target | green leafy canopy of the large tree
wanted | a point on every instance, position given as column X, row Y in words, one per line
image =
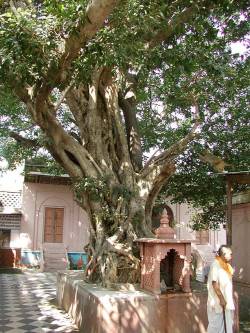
column 194, row 61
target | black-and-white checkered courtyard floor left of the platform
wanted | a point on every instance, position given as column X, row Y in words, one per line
column 27, row 304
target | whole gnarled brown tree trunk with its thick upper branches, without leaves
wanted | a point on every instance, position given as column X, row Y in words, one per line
column 101, row 147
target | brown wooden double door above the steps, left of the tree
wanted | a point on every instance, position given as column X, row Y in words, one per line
column 53, row 226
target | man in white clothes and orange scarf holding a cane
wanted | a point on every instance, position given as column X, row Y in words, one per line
column 220, row 293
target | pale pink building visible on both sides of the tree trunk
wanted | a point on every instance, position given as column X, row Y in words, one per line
column 39, row 214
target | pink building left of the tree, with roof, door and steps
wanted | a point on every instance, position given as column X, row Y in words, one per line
column 39, row 216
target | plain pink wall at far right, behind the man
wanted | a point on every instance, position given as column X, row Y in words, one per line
column 240, row 241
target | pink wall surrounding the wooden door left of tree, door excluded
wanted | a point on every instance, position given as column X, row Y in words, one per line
column 36, row 197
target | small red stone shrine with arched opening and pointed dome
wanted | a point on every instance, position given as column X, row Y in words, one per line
column 165, row 261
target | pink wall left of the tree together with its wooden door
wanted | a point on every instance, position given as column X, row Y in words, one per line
column 50, row 215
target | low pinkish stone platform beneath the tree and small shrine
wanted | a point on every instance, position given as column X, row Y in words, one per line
column 98, row 310
